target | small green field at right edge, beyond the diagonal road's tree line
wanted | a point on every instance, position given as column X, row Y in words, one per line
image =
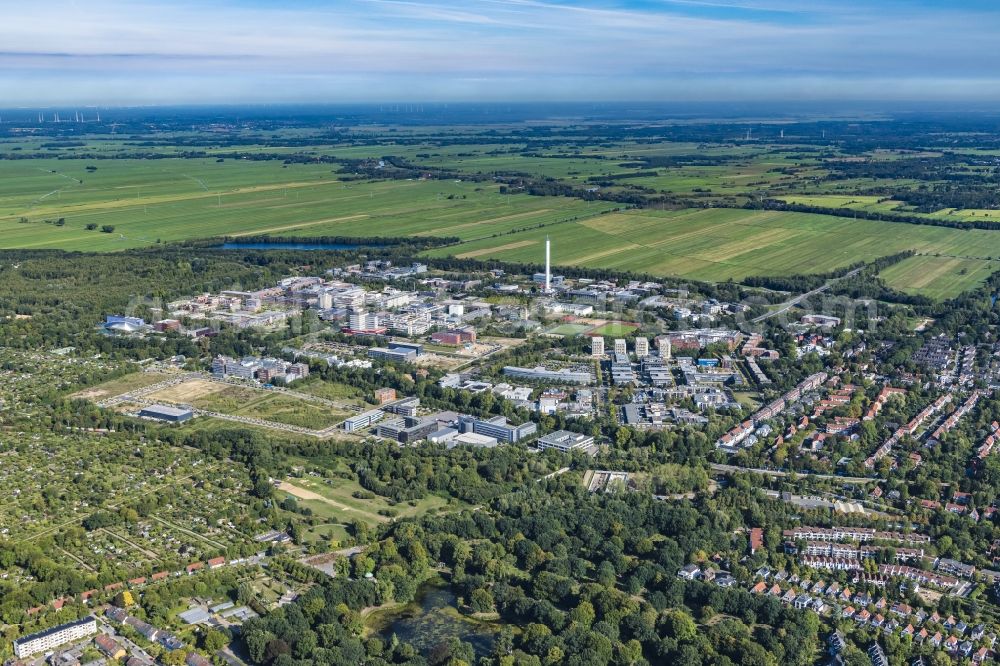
column 939, row 277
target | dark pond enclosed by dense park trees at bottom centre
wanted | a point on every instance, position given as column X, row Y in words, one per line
column 432, row 619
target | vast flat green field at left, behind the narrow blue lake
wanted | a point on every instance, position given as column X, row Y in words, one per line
column 50, row 204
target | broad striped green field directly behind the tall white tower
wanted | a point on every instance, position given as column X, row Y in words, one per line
column 721, row 244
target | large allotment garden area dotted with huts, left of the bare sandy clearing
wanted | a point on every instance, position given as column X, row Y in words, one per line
column 128, row 505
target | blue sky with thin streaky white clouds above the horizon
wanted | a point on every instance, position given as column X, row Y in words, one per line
column 114, row 52
